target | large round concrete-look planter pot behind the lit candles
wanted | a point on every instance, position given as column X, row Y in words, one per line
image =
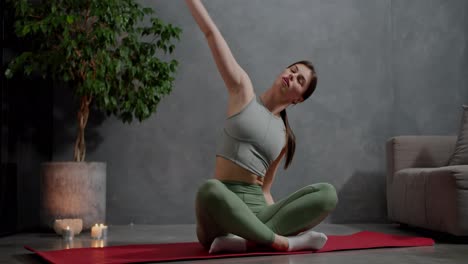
column 73, row 190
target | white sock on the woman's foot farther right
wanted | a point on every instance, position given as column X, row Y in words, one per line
column 307, row 240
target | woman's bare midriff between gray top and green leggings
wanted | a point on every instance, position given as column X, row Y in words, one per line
column 226, row 170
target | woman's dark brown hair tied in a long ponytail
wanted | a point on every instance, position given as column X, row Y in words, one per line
column 291, row 145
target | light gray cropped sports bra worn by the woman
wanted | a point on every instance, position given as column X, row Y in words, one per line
column 252, row 138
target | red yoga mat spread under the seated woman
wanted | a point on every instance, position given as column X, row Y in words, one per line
column 193, row 250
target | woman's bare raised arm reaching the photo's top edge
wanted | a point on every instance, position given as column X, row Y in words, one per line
column 236, row 79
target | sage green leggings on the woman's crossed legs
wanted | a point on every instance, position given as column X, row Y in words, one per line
column 224, row 208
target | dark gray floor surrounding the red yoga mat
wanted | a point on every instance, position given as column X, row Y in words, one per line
column 446, row 250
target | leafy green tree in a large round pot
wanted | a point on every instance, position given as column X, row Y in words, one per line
column 107, row 52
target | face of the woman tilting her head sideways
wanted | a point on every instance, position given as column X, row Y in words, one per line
column 293, row 82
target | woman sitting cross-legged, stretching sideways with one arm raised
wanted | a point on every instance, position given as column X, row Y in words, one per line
column 235, row 210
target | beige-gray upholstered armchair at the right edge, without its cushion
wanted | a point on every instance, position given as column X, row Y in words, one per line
column 422, row 190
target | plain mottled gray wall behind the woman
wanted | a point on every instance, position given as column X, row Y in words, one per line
column 385, row 68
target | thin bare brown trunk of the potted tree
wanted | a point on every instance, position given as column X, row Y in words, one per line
column 83, row 113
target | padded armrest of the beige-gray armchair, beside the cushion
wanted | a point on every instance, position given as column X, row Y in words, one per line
column 418, row 152
